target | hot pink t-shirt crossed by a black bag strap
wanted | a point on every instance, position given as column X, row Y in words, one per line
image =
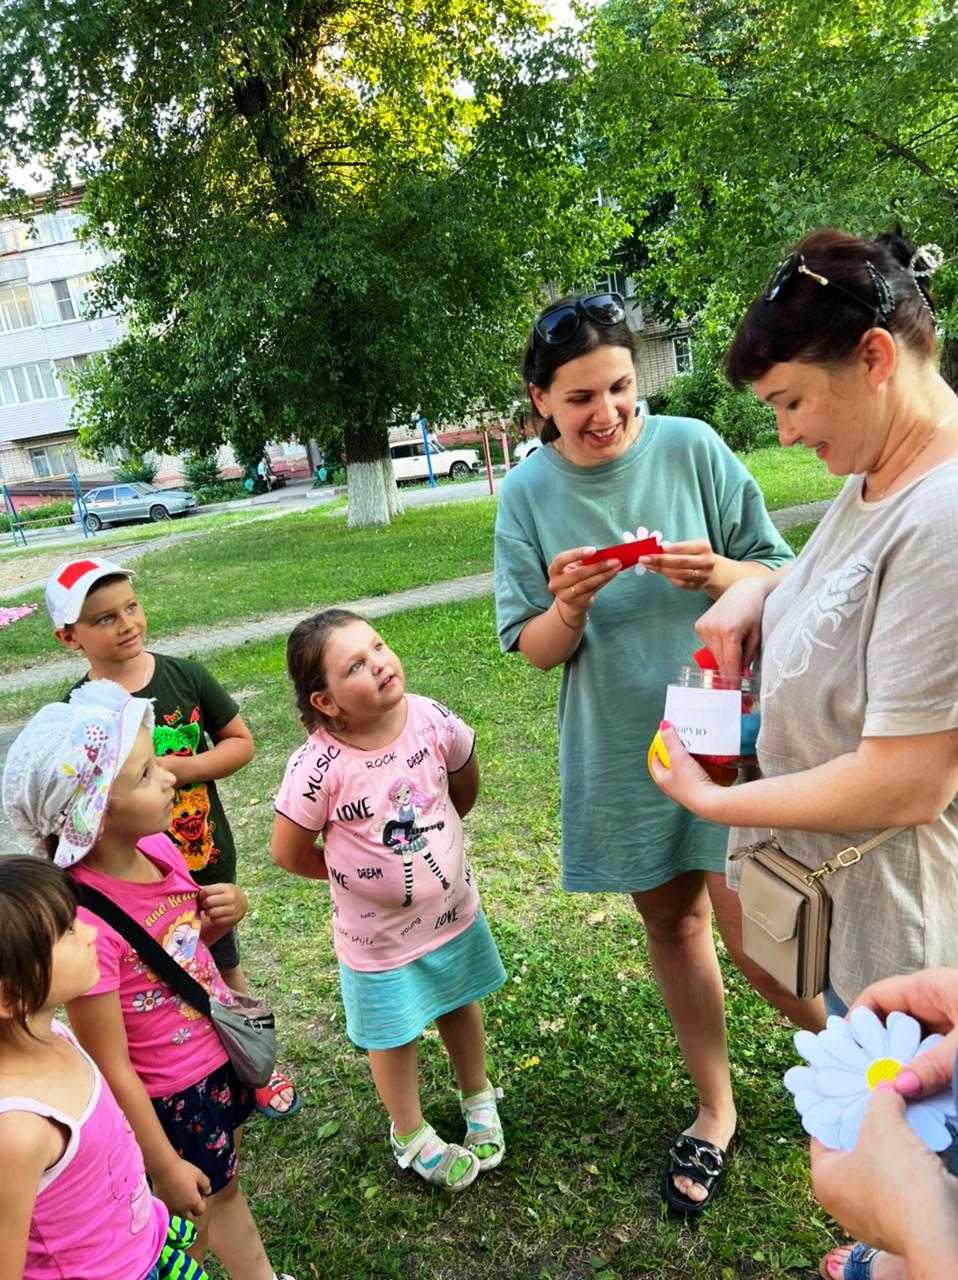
column 172, row 1046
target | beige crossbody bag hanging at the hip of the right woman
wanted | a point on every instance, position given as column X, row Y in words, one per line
column 787, row 912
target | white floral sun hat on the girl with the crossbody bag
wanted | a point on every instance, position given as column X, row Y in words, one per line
column 63, row 764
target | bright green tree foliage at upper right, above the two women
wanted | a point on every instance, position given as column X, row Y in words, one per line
column 729, row 131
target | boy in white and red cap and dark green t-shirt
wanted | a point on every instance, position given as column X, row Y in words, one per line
column 199, row 734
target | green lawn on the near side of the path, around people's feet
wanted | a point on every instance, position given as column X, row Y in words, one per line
column 580, row 1041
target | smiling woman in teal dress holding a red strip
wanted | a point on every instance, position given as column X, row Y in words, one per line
column 622, row 637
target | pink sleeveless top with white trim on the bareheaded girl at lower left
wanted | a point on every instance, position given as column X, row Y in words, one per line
column 94, row 1215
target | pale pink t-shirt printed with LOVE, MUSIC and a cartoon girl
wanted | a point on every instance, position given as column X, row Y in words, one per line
column 393, row 839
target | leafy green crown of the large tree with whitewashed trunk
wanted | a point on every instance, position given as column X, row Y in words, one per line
column 316, row 227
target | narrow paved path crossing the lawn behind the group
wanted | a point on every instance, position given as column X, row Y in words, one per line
column 229, row 636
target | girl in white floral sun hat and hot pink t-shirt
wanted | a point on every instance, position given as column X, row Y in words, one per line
column 84, row 781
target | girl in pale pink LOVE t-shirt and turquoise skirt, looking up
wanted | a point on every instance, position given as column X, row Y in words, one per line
column 385, row 779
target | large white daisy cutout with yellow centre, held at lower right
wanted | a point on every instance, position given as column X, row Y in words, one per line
column 847, row 1062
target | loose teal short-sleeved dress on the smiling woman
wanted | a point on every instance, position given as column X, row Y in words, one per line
column 621, row 835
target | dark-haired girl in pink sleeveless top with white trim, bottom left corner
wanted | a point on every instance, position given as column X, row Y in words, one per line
column 76, row 1204
